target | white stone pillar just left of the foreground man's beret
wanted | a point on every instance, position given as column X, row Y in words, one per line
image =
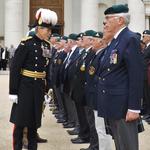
column 89, row 15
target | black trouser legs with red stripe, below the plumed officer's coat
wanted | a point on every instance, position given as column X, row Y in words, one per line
column 18, row 135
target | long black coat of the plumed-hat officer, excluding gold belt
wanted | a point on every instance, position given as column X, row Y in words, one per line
column 29, row 55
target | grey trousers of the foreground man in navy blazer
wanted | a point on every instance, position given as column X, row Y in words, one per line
column 125, row 134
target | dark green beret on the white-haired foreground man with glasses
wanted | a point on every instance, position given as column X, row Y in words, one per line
column 116, row 9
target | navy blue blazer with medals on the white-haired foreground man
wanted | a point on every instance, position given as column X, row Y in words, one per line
column 120, row 83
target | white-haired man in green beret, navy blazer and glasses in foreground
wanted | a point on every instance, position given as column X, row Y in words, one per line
column 120, row 82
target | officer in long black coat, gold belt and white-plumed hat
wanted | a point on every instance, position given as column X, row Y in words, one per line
column 28, row 75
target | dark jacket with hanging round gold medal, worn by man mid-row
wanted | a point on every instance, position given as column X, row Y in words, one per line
column 77, row 81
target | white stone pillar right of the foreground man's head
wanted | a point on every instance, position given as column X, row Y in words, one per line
column 137, row 20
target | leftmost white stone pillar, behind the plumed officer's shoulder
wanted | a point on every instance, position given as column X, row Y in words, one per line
column 13, row 22
